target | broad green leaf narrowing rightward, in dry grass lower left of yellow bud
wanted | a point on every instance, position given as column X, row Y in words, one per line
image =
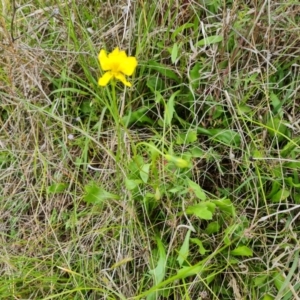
column 95, row 194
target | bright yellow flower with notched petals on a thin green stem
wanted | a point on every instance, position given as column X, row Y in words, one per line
column 116, row 64
